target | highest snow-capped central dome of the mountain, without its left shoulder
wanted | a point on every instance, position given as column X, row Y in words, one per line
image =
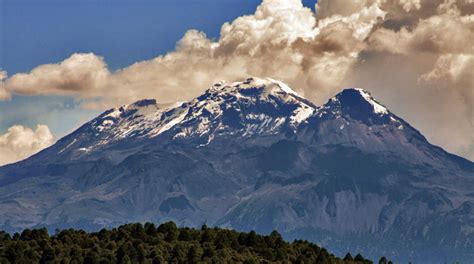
column 254, row 106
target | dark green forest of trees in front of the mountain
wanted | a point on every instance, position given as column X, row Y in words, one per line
column 137, row 243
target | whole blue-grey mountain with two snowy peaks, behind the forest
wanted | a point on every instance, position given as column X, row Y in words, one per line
column 254, row 155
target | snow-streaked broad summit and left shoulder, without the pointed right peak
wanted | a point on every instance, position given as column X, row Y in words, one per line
column 254, row 106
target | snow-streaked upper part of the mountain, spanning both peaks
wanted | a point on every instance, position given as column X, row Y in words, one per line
column 253, row 107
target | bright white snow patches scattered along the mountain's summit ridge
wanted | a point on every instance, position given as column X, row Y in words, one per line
column 146, row 110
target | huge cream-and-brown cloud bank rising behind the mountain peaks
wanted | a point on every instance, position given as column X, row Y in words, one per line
column 416, row 56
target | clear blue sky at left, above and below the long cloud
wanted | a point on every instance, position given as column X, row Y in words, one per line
column 35, row 32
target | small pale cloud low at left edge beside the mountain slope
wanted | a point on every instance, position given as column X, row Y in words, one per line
column 20, row 142
